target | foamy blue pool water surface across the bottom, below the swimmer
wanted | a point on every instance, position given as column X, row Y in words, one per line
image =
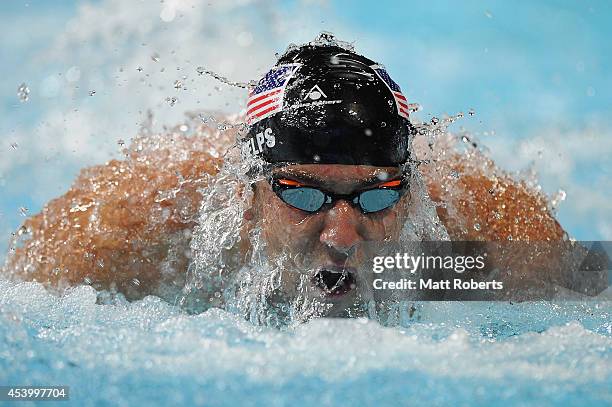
column 151, row 353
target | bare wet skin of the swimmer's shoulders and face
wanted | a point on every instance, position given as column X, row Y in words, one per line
column 126, row 240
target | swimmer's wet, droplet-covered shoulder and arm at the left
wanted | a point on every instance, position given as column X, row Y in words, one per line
column 122, row 226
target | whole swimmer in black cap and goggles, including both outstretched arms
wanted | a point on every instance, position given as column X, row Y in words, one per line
column 336, row 150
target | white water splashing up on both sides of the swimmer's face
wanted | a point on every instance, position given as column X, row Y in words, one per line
column 256, row 287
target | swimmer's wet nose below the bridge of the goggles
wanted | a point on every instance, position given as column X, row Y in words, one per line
column 341, row 228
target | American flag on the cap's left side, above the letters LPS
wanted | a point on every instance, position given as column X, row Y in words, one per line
column 266, row 98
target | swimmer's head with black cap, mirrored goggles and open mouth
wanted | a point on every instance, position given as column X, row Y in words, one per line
column 335, row 141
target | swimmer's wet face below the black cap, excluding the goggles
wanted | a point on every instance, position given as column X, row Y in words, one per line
column 323, row 248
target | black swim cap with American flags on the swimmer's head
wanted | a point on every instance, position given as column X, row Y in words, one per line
column 323, row 104
